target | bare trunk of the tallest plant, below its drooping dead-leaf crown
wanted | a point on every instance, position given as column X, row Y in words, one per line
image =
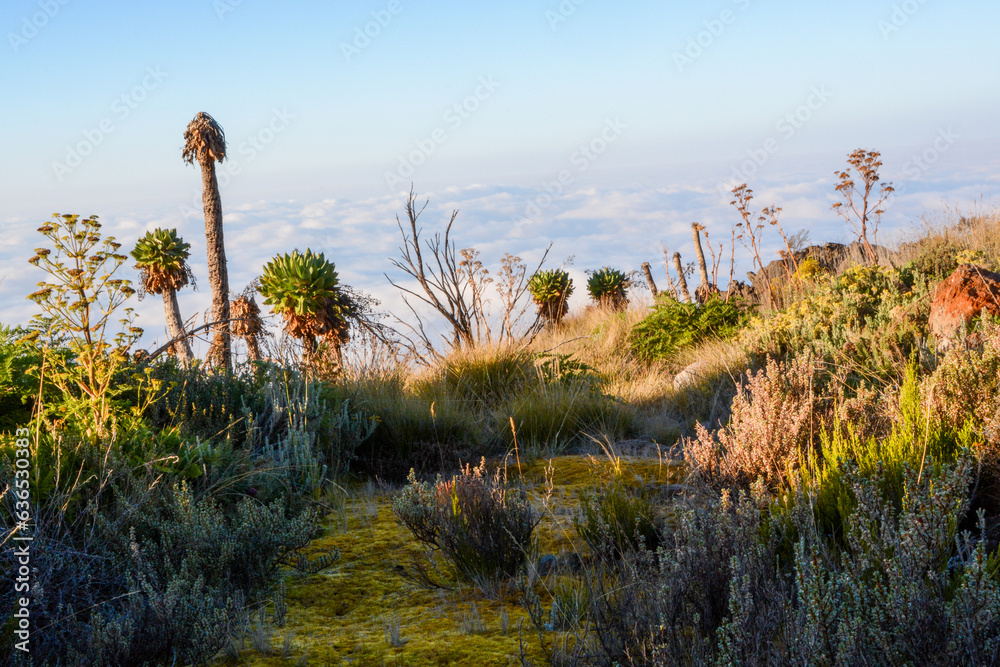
column 219, row 352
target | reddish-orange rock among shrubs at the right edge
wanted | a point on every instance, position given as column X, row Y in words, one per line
column 963, row 295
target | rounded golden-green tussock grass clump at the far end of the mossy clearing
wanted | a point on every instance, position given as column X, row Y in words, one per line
column 464, row 406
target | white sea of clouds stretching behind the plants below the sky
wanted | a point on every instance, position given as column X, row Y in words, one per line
column 620, row 220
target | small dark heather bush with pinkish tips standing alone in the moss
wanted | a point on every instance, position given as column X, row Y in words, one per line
column 476, row 519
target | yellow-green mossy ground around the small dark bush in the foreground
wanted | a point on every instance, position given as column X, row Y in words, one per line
column 337, row 617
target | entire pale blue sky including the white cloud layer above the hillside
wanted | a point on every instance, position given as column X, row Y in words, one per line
column 499, row 97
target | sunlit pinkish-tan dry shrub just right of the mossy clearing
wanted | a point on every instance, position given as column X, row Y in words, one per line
column 767, row 431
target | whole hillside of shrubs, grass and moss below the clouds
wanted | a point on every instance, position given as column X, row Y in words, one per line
column 824, row 490
